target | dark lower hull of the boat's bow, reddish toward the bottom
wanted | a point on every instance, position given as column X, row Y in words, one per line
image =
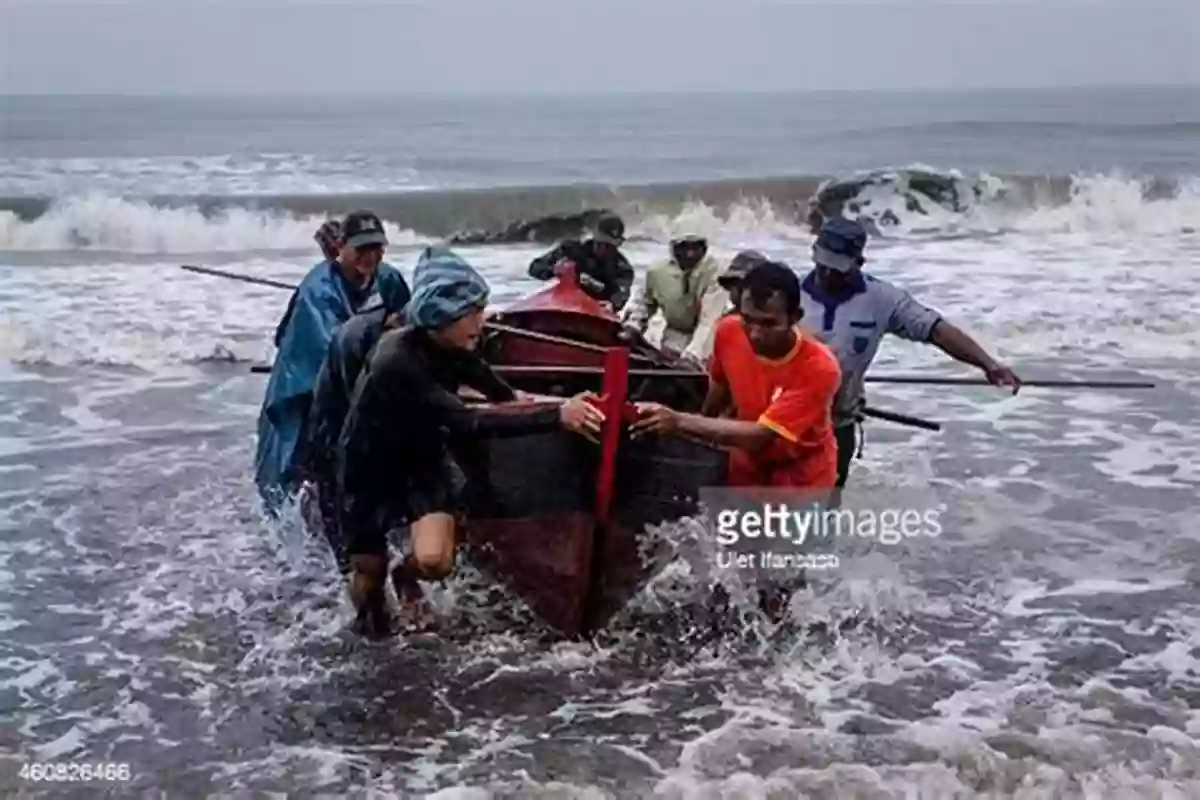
column 533, row 524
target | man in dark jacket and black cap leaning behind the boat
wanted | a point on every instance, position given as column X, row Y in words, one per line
column 604, row 272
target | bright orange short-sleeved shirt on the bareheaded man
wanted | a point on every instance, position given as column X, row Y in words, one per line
column 793, row 396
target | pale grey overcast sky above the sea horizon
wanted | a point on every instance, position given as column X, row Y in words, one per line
column 572, row 46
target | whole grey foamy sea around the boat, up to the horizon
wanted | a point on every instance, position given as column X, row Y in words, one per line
column 1046, row 645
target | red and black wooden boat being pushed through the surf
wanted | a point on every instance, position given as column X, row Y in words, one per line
column 556, row 519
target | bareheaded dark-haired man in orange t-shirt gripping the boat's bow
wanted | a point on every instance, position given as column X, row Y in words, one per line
column 781, row 384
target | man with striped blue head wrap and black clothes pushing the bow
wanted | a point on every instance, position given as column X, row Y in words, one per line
column 397, row 462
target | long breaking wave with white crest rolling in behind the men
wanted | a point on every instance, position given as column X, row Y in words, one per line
column 899, row 201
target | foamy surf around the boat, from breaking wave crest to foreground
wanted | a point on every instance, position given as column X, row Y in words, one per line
column 1043, row 646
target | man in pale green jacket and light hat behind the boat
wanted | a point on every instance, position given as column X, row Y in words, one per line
column 679, row 287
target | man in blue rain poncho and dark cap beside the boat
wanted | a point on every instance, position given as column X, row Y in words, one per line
column 328, row 297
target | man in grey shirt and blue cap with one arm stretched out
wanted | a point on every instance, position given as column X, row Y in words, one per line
column 851, row 312
